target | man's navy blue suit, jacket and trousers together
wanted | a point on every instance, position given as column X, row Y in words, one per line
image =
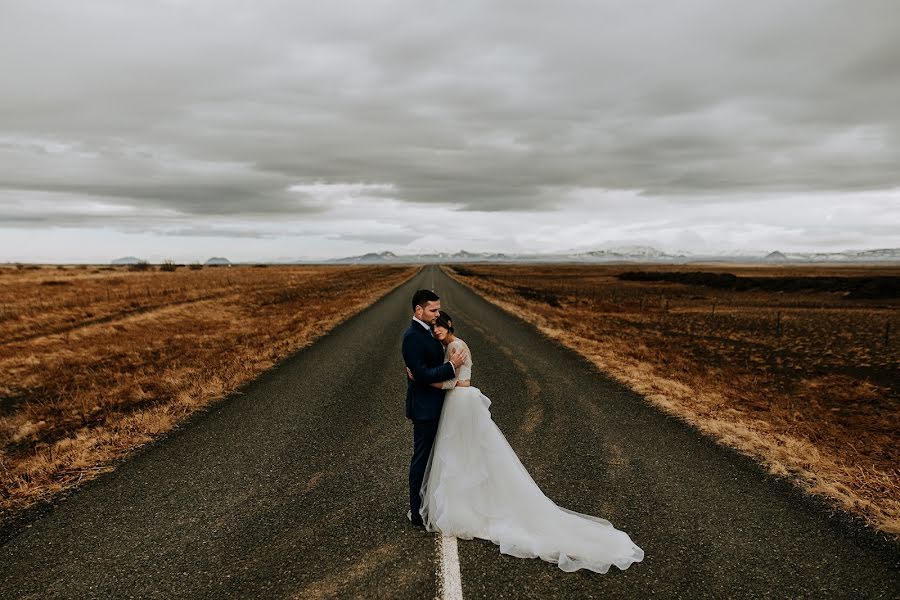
column 424, row 355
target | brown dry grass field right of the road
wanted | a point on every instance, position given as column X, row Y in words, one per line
column 797, row 366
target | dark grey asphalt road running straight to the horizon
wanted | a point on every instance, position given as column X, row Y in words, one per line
column 296, row 487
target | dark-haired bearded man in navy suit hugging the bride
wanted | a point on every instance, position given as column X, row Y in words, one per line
column 424, row 357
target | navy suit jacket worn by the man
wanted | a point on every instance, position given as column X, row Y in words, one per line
column 424, row 356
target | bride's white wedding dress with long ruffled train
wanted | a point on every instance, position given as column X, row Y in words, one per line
column 475, row 486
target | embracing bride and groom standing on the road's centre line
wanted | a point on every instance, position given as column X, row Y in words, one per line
column 464, row 478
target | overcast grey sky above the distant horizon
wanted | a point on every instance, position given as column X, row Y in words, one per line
column 270, row 130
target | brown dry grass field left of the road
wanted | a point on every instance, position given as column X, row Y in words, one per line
column 95, row 361
